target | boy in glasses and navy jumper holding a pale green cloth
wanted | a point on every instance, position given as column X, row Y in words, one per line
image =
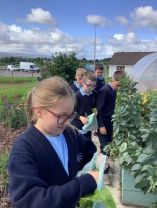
column 85, row 102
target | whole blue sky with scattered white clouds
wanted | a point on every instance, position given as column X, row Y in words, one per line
column 48, row 26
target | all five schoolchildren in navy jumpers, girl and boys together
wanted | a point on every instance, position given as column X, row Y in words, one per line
column 45, row 159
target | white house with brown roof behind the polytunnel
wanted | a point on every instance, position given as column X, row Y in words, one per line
column 125, row 61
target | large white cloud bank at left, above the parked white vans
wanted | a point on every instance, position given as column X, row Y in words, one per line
column 17, row 39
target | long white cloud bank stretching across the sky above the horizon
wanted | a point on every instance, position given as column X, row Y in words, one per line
column 17, row 39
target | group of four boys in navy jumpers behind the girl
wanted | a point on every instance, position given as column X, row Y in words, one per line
column 92, row 92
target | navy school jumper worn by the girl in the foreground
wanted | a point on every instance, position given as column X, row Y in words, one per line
column 37, row 178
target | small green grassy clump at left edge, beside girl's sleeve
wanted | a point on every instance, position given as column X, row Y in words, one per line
column 3, row 169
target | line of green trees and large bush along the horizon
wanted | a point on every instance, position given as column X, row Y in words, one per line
column 62, row 64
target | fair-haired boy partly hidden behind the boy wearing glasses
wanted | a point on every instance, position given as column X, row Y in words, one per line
column 78, row 79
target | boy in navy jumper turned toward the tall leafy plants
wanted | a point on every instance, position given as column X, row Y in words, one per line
column 105, row 104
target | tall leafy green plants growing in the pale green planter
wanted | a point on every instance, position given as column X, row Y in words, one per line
column 135, row 136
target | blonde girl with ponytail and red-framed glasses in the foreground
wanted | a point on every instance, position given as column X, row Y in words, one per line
column 45, row 160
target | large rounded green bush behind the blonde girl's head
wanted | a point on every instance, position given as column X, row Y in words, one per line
column 63, row 65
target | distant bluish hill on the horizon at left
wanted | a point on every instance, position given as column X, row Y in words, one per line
column 7, row 54
